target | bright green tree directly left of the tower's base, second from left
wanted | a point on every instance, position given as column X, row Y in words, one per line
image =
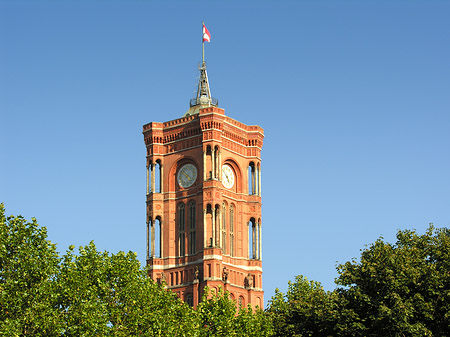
column 103, row 294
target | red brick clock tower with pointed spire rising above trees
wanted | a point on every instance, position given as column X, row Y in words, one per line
column 204, row 202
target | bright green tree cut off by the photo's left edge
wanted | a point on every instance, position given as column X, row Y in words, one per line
column 28, row 265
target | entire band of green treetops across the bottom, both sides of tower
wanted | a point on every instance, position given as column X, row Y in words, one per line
column 400, row 289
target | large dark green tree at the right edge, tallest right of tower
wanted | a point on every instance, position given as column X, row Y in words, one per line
column 401, row 289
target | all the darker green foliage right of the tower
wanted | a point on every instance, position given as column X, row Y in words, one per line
column 400, row 289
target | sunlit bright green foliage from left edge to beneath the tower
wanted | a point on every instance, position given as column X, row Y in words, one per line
column 94, row 293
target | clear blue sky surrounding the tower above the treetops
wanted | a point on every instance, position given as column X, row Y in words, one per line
column 354, row 98
